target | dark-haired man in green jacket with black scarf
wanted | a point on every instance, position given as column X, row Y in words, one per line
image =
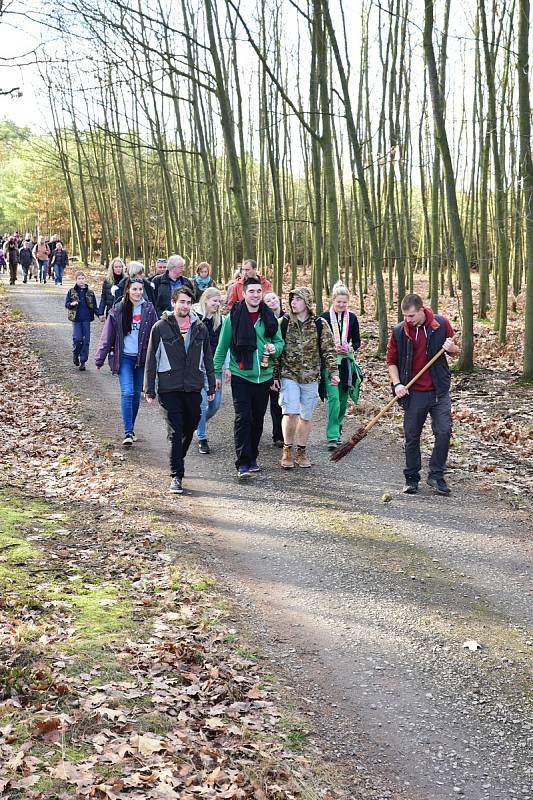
column 252, row 335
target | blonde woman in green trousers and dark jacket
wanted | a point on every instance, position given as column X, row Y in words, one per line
column 345, row 328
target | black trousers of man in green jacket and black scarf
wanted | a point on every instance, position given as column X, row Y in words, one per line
column 250, row 402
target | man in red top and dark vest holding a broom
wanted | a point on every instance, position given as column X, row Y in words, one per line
column 412, row 344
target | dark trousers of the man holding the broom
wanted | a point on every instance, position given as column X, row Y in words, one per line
column 440, row 409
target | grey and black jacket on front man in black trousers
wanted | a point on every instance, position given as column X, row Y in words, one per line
column 177, row 363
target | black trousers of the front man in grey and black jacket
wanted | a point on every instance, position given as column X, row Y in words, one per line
column 182, row 410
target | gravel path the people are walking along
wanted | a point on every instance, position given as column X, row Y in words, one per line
column 364, row 606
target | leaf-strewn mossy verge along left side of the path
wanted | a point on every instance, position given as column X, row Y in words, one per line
column 120, row 678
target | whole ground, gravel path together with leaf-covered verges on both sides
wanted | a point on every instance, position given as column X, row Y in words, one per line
column 297, row 637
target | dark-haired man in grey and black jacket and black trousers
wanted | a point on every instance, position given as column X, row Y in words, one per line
column 178, row 360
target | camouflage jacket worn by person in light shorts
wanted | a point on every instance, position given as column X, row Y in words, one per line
column 300, row 359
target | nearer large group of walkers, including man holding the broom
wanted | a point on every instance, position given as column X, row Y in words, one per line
column 165, row 335
